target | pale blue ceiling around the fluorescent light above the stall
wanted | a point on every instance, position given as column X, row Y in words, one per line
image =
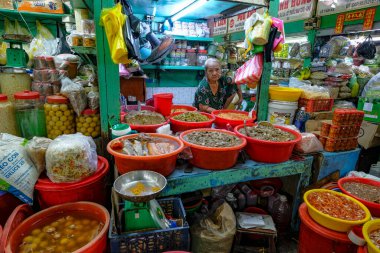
column 167, row 8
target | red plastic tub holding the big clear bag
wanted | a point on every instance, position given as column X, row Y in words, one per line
column 92, row 188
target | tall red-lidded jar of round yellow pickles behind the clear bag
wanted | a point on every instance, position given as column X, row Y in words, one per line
column 59, row 116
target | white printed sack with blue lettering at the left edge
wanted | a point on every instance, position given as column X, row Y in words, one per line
column 18, row 174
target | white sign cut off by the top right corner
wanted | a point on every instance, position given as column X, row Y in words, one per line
column 324, row 7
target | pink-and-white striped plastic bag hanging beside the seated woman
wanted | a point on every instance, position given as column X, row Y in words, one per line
column 251, row 71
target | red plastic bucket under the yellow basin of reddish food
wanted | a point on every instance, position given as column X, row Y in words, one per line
column 317, row 239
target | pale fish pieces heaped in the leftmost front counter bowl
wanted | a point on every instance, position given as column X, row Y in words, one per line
column 144, row 145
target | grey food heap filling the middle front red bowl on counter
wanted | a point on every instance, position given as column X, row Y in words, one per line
column 212, row 139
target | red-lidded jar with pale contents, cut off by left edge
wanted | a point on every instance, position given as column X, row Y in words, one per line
column 7, row 116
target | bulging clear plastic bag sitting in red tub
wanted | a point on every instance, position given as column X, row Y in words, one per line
column 71, row 158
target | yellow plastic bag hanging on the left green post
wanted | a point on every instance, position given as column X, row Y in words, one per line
column 113, row 20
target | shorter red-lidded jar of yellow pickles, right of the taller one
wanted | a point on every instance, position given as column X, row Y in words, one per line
column 88, row 123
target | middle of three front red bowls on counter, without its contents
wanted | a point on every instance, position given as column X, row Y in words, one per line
column 211, row 158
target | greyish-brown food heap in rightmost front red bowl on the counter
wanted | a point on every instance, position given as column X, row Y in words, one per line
column 267, row 133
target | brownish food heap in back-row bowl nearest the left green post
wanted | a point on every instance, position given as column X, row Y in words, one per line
column 144, row 118
